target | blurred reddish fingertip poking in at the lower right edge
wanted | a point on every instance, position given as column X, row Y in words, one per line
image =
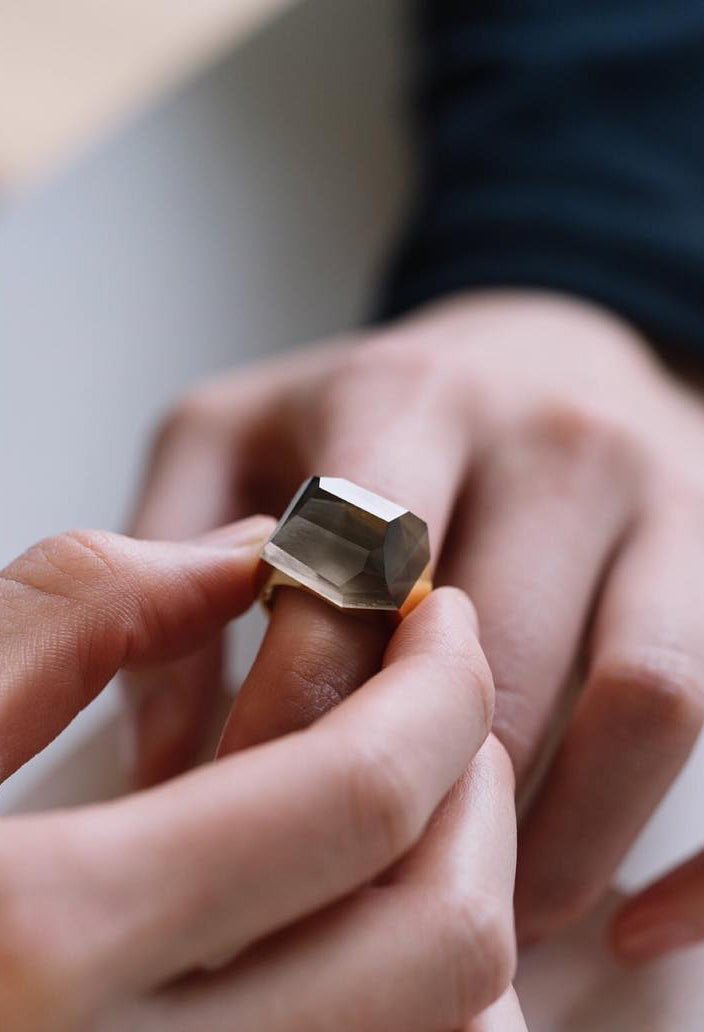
column 667, row 916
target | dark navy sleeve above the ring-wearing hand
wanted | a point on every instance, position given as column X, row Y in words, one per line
column 562, row 146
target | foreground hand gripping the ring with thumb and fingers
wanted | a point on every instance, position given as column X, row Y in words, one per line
column 265, row 891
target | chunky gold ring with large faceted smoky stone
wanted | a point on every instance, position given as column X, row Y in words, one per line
column 353, row 549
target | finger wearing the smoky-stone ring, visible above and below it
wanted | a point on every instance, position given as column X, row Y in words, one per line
column 312, row 656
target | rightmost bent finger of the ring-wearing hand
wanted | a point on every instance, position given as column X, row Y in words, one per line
column 633, row 729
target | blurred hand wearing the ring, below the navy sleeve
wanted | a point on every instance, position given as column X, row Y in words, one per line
column 559, row 467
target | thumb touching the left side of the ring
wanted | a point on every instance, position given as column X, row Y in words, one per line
column 85, row 604
